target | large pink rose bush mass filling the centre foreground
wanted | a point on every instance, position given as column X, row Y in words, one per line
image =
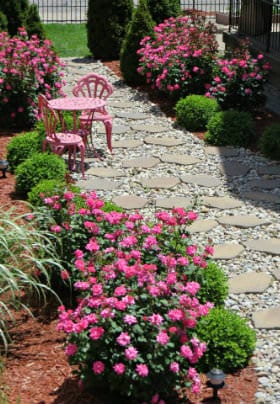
column 133, row 328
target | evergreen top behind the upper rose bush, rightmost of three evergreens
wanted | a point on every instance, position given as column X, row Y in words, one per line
column 162, row 9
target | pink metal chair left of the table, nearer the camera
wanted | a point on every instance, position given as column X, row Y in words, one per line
column 59, row 141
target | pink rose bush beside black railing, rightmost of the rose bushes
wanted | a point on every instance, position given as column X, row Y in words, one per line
column 238, row 81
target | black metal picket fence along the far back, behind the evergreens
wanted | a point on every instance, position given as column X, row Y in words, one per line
column 75, row 11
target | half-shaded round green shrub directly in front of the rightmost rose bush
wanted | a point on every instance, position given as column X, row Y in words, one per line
column 231, row 127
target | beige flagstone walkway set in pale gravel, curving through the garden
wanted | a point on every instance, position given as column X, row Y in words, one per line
column 236, row 193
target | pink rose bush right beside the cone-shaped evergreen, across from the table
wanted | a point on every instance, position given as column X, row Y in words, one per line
column 179, row 60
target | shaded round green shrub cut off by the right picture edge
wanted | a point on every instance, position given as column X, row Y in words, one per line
column 269, row 142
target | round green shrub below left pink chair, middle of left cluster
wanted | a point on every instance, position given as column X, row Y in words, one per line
column 38, row 167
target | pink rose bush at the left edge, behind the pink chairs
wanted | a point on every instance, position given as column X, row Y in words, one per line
column 28, row 67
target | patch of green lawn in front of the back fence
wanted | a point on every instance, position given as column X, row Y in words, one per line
column 68, row 39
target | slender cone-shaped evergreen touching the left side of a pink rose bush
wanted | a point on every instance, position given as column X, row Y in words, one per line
column 140, row 26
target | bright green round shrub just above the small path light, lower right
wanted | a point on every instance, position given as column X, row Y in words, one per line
column 230, row 341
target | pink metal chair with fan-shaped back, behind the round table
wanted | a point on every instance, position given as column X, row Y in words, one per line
column 96, row 86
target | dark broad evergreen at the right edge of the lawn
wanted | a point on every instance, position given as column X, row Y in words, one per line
column 106, row 26
